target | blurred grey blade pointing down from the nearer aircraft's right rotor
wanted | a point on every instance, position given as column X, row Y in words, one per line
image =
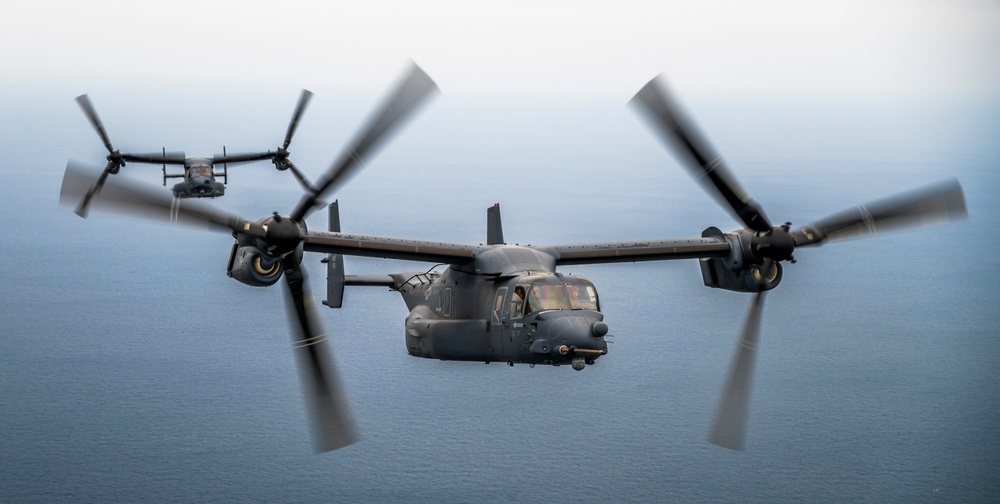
column 729, row 425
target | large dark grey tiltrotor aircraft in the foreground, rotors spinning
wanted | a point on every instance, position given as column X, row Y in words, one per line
column 508, row 303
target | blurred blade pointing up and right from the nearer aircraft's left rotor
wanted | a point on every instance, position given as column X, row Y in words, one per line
column 408, row 95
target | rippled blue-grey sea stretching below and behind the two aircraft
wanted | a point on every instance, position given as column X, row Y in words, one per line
column 134, row 370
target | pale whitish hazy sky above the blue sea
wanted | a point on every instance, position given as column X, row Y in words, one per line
column 850, row 48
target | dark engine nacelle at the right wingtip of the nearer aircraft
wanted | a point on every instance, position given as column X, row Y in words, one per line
column 739, row 272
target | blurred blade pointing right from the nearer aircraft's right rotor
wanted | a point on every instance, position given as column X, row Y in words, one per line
column 937, row 203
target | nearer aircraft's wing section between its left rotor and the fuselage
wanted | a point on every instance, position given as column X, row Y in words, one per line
column 390, row 248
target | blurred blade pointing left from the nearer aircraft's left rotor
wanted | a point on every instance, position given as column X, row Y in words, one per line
column 125, row 197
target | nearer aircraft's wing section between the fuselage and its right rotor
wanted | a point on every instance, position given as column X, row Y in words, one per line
column 651, row 250
